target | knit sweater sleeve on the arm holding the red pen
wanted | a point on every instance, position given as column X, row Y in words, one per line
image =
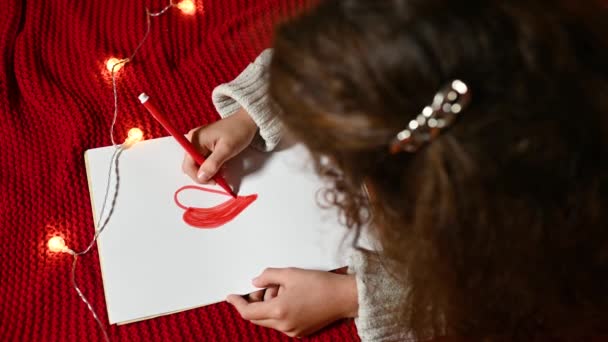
column 250, row 91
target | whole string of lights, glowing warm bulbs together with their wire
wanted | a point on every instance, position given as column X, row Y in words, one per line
column 56, row 244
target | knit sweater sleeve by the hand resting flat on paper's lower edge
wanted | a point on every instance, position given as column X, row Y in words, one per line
column 379, row 297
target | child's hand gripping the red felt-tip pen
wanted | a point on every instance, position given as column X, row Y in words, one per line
column 219, row 142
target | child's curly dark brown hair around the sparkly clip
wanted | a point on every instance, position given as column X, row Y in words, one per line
column 499, row 227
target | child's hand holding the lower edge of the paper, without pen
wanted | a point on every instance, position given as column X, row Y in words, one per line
column 301, row 301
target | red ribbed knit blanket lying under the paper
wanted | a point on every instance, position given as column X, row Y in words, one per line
column 56, row 102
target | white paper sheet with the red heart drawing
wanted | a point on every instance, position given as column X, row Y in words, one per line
column 154, row 264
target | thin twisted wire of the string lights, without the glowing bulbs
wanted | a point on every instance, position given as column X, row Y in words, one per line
column 114, row 164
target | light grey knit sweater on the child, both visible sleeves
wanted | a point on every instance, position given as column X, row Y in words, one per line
column 377, row 290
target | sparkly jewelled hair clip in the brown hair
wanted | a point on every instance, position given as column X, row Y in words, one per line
column 447, row 103
